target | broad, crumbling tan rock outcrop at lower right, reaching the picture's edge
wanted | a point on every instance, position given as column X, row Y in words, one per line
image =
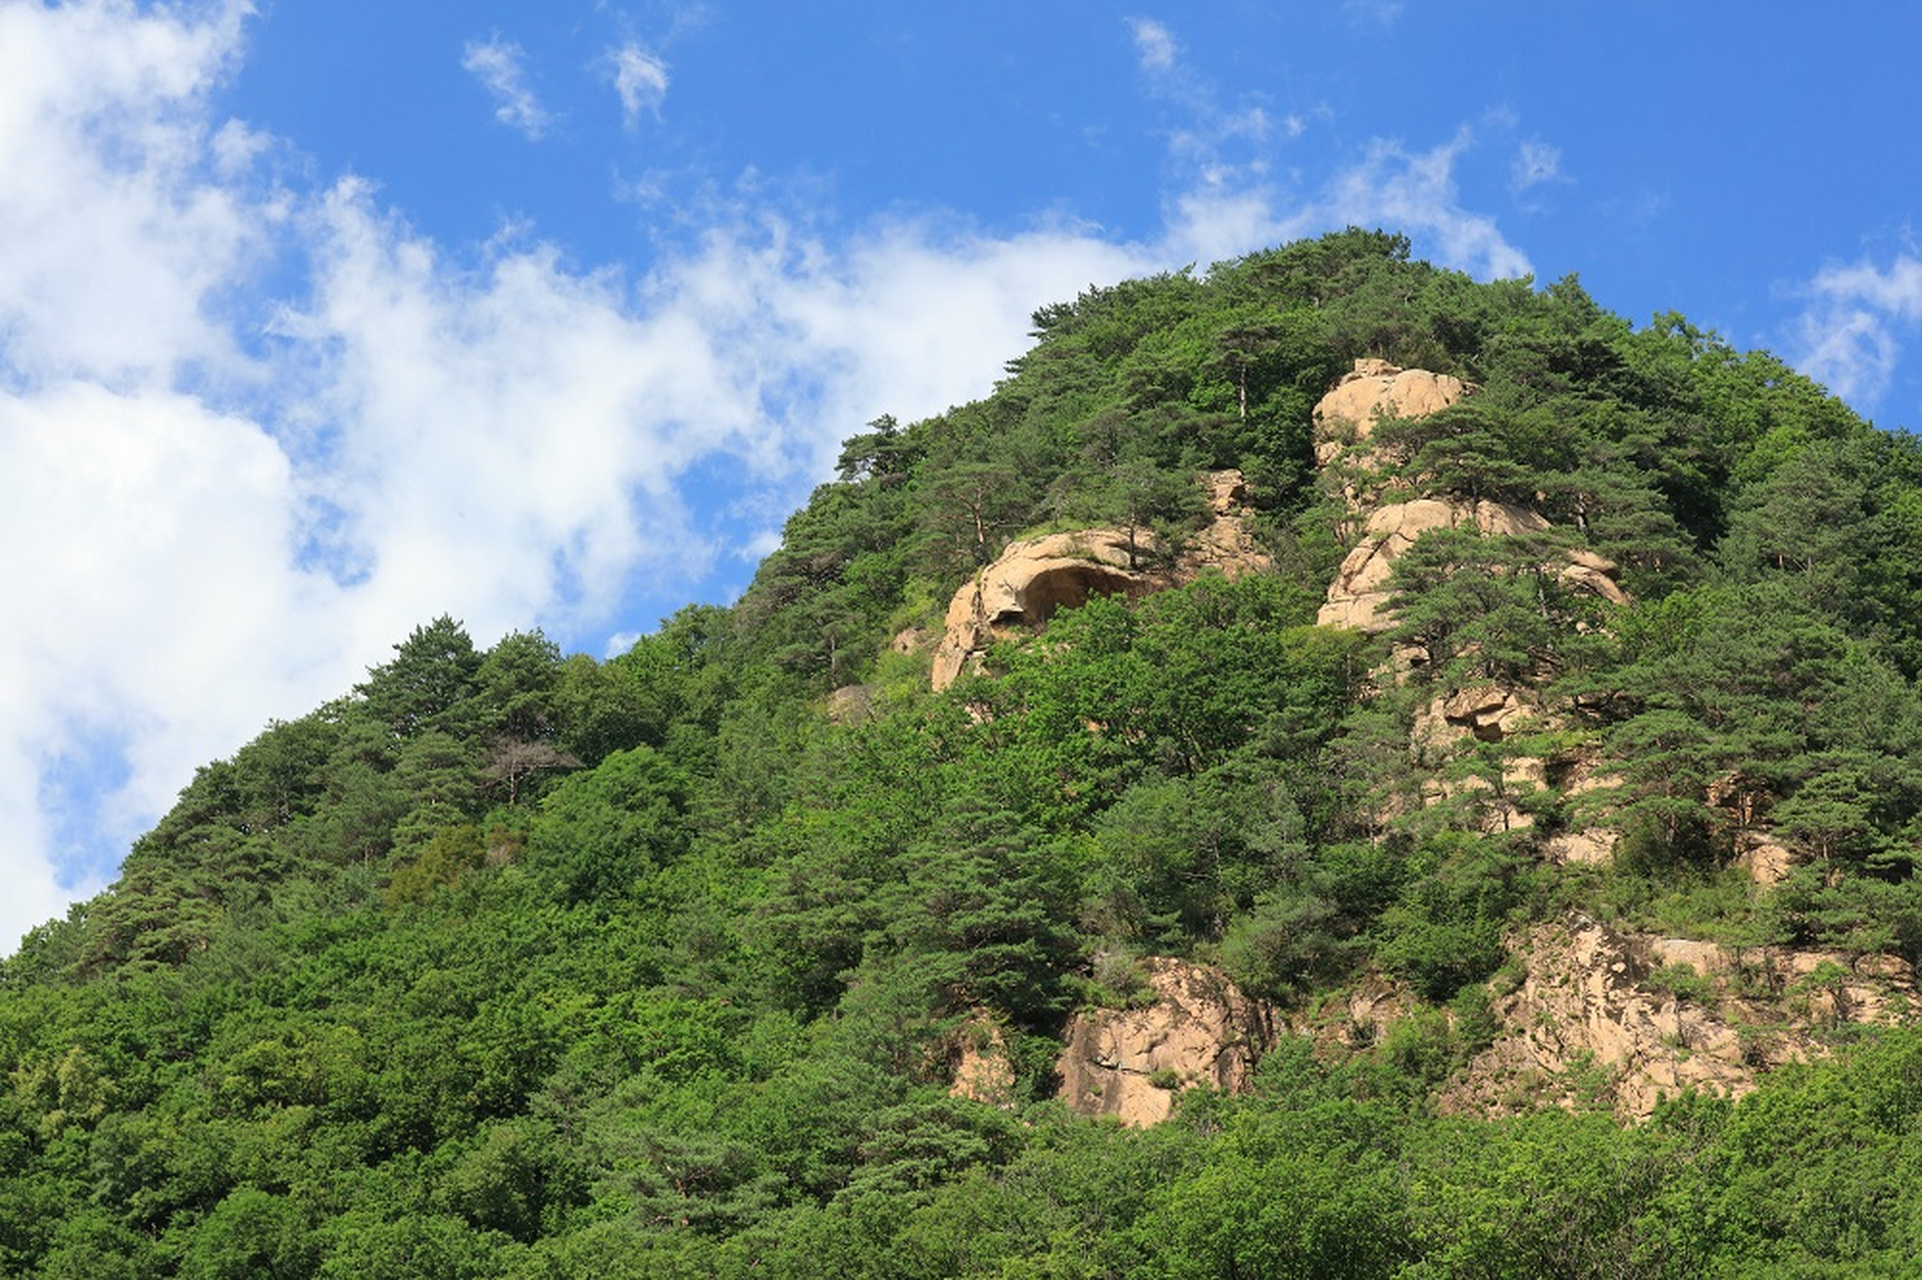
column 1589, row 1023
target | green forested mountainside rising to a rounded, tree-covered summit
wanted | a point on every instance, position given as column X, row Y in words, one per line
column 520, row 964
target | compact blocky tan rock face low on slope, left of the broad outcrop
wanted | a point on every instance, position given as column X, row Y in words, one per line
column 1131, row 1062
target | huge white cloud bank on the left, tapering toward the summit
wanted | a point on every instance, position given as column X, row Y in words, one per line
column 228, row 528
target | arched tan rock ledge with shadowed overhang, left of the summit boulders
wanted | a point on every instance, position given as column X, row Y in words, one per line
column 1035, row 578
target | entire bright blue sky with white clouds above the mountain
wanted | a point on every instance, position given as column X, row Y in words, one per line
column 320, row 320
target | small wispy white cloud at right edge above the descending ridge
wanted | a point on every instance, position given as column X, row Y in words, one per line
column 1850, row 335
